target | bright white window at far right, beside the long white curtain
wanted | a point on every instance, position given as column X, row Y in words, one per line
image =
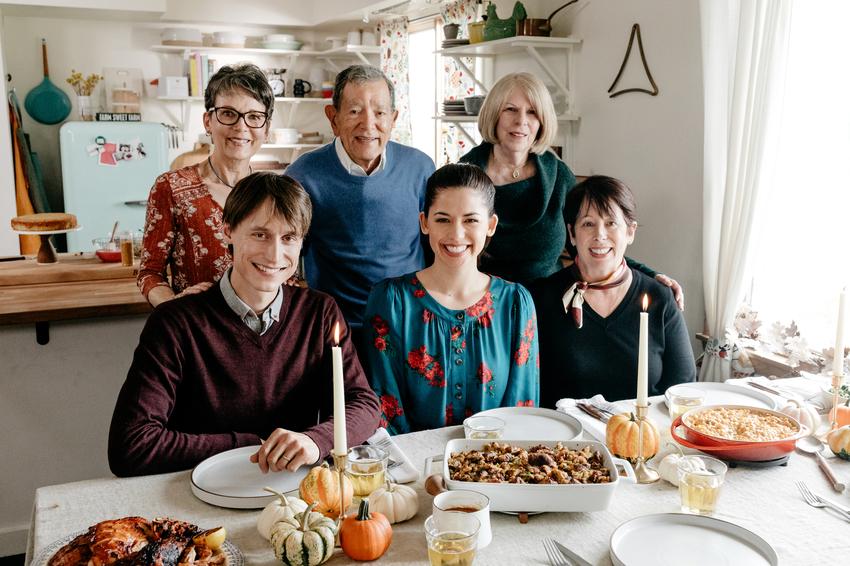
column 804, row 254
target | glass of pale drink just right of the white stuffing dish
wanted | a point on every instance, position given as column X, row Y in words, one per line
column 700, row 481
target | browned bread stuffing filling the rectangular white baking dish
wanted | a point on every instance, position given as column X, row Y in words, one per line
column 502, row 463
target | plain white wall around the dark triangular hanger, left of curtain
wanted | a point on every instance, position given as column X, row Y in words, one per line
column 652, row 143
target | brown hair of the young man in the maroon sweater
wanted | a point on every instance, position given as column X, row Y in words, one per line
column 289, row 200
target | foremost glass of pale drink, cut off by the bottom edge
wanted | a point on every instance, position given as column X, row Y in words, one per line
column 452, row 538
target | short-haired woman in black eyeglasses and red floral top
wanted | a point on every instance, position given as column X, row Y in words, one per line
column 184, row 214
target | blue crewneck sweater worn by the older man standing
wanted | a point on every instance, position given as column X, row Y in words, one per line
column 364, row 229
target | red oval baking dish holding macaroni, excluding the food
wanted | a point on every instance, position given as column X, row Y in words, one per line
column 726, row 449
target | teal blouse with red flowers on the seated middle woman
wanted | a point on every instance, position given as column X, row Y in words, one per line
column 432, row 367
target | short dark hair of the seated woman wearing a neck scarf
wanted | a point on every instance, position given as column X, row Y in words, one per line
column 602, row 192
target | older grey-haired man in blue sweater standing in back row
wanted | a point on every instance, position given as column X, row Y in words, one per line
column 367, row 193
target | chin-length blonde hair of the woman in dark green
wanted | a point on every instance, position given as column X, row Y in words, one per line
column 536, row 92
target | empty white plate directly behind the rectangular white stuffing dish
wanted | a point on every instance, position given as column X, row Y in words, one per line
column 524, row 423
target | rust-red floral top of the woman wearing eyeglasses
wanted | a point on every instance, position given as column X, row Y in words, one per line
column 182, row 228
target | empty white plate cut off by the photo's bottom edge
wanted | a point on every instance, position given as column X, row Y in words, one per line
column 674, row 539
